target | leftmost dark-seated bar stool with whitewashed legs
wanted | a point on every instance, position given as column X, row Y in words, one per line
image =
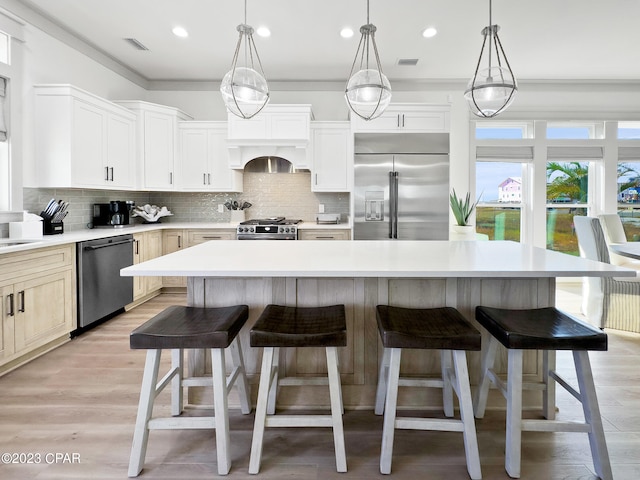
column 176, row 328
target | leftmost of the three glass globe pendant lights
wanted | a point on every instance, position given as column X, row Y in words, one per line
column 244, row 88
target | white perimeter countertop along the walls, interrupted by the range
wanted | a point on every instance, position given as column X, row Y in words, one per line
column 103, row 232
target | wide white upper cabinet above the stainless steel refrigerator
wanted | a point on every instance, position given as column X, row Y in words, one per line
column 406, row 117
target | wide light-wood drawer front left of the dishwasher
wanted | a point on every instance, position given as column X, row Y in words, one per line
column 21, row 264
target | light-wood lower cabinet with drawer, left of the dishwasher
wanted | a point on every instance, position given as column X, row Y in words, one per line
column 38, row 291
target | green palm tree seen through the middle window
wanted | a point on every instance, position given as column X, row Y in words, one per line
column 570, row 180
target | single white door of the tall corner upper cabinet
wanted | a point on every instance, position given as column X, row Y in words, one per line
column 159, row 153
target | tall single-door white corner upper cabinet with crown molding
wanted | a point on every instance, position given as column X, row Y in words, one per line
column 157, row 140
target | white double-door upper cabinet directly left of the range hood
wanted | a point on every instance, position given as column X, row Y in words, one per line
column 204, row 158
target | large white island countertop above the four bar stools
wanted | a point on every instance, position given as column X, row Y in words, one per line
column 362, row 258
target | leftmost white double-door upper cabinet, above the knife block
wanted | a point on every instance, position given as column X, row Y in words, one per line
column 82, row 141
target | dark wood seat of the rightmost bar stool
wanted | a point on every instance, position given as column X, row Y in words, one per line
column 540, row 329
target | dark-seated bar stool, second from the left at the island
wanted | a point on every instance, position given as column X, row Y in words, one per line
column 281, row 326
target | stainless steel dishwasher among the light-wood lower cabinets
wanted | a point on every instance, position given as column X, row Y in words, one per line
column 101, row 290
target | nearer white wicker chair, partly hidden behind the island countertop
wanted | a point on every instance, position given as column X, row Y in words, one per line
column 607, row 302
